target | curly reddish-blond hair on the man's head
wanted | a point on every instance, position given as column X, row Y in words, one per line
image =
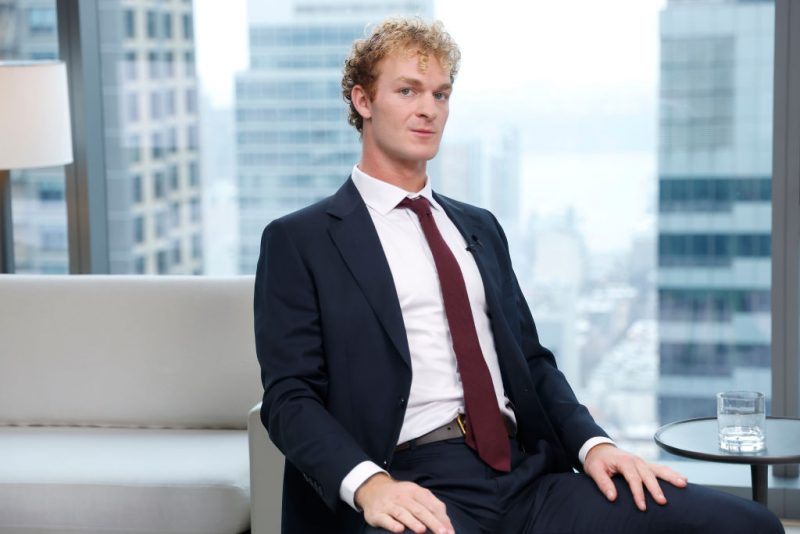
column 394, row 34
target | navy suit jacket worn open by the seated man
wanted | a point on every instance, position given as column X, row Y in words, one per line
column 335, row 362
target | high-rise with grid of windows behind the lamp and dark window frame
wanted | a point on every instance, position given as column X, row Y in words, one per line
column 151, row 150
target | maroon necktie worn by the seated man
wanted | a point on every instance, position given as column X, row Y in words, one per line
column 486, row 431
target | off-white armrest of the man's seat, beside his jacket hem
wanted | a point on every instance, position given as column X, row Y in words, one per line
column 266, row 477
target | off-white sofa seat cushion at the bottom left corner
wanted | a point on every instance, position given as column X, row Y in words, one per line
column 95, row 480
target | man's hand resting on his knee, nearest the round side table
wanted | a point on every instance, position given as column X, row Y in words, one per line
column 605, row 460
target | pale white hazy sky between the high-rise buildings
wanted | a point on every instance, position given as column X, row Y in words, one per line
column 578, row 78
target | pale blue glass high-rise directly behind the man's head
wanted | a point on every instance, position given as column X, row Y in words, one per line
column 294, row 145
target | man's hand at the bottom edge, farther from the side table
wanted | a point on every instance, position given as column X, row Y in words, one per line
column 395, row 506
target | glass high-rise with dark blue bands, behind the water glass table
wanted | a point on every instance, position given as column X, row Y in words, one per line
column 714, row 219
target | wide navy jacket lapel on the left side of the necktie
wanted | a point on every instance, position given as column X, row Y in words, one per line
column 354, row 234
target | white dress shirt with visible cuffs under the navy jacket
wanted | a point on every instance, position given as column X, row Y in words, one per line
column 436, row 395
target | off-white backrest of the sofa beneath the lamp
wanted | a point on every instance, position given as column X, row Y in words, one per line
column 156, row 351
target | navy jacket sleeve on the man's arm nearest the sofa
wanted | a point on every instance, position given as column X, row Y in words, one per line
column 289, row 345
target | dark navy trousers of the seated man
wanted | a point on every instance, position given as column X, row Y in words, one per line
column 480, row 500
